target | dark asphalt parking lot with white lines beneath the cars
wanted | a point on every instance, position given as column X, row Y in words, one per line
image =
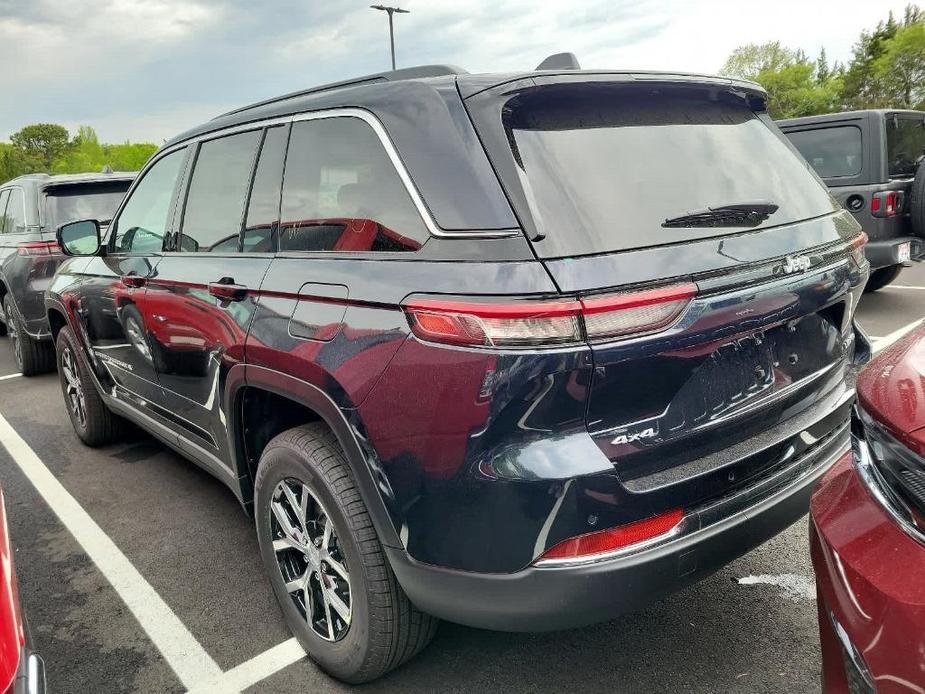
column 177, row 548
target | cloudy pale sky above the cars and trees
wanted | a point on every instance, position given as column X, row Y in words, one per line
column 145, row 70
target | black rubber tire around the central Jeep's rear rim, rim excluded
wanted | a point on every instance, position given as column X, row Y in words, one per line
column 385, row 629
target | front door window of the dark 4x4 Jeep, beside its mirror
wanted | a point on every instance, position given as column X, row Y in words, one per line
column 142, row 224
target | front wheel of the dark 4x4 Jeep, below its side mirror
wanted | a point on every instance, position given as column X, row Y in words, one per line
column 99, row 425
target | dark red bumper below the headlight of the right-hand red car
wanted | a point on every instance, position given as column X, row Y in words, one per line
column 869, row 581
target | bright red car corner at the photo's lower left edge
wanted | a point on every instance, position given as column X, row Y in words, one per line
column 22, row 671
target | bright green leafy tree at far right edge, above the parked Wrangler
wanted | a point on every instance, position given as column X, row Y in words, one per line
column 900, row 67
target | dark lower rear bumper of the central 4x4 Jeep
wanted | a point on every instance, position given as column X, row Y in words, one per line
column 547, row 598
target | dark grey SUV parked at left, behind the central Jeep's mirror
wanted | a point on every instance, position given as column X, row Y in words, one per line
column 31, row 208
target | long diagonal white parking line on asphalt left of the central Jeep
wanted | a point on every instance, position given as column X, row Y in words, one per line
column 180, row 649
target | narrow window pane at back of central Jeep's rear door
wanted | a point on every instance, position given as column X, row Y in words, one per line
column 263, row 206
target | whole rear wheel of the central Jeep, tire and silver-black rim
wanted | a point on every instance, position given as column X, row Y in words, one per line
column 325, row 563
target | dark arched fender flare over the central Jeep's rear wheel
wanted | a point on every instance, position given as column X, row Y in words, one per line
column 245, row 376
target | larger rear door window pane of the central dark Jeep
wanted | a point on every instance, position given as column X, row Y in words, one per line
column 217, row 192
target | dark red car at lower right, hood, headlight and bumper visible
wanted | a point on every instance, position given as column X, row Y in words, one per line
column 867, row 534
